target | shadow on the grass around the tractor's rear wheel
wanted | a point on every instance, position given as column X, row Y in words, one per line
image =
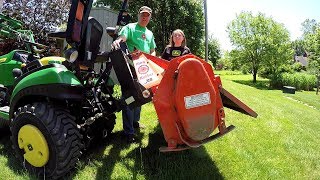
column 95, row 152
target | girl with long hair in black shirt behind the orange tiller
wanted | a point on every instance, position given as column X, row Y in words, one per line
column 177, row 46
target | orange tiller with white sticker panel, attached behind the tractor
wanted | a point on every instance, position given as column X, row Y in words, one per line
column 189, row 99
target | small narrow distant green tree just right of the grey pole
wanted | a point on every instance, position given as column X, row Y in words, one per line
column 214, row 52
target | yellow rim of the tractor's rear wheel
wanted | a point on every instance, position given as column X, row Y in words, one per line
column 34, row 144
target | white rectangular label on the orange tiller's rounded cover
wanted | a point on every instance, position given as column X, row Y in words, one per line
column 197, row 100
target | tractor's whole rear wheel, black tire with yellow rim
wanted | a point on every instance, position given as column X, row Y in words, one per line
column 49, row 132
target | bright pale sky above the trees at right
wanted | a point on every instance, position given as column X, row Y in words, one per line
column 289, row 12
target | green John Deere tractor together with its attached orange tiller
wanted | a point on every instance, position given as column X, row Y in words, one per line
column 57, row 107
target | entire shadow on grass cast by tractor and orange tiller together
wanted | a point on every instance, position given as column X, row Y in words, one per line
column 147, row 161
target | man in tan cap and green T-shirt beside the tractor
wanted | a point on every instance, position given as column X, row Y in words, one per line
column 137, row 36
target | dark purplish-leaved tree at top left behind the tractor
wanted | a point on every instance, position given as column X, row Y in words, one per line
column 40, row 16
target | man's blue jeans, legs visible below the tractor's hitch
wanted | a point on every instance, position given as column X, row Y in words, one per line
column 130, row 116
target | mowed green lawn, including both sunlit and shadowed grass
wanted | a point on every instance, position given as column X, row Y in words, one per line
column 282, row 143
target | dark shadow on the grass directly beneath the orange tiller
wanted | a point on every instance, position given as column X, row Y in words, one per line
column 189, row 164
